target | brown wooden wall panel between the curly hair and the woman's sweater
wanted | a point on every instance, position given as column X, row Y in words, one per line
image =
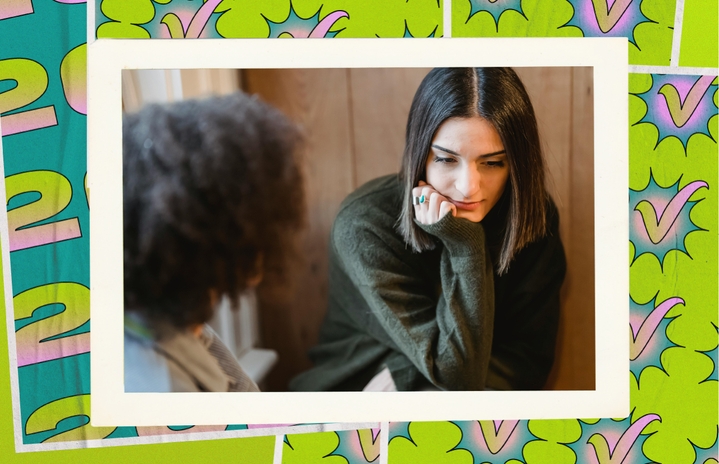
column 291, row 311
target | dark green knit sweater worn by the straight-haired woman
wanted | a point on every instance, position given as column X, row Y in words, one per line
column 430, row 317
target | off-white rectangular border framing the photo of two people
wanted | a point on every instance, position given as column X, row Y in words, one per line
column 111, row 406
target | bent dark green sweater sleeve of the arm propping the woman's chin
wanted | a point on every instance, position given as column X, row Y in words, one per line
column 448, row 338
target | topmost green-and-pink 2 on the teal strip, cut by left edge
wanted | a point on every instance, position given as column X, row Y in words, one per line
column 30, row 84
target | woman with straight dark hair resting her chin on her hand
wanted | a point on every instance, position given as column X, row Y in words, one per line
column 447, row 275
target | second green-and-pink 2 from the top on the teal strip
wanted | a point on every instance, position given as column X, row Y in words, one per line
column 55, row 194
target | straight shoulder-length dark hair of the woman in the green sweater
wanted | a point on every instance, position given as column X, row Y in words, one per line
column 497, row 95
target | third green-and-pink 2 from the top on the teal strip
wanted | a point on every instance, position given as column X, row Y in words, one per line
column 42, row 340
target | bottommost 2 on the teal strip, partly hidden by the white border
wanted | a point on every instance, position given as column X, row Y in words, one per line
column 48, row 416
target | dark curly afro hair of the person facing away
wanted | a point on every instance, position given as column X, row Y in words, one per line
column 212, row 189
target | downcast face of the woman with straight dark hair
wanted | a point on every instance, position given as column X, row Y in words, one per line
column 468, row 165
